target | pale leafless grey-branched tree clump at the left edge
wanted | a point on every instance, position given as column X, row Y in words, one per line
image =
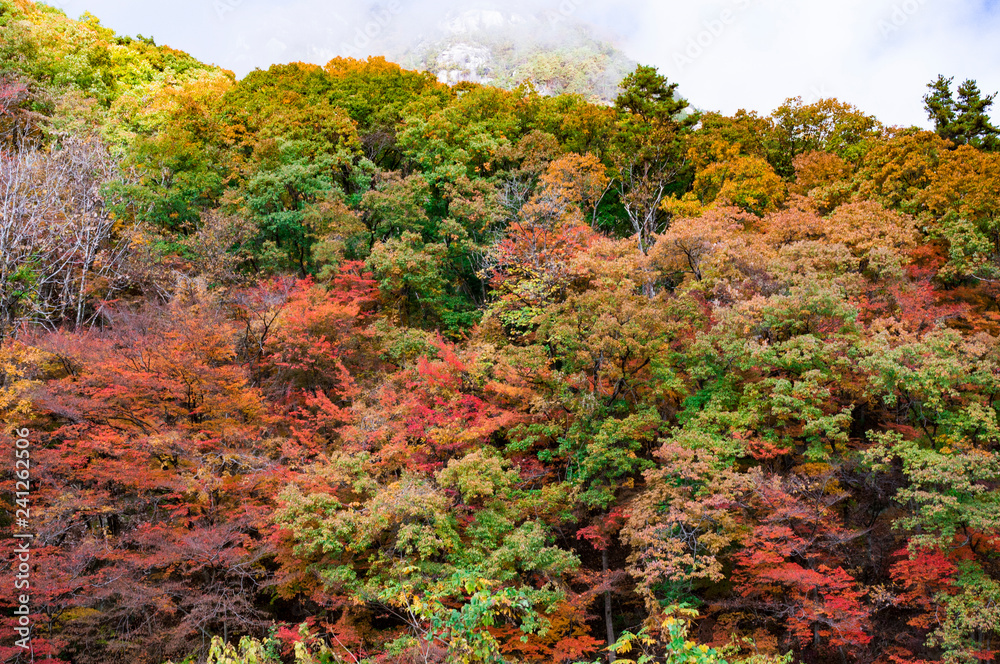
column 57, row 244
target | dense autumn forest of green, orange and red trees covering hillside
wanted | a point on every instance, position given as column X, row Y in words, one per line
column 340, row 364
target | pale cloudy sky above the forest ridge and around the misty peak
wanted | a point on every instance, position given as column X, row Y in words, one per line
column 726, row 55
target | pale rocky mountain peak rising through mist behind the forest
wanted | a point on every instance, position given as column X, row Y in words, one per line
column 507, row 47
